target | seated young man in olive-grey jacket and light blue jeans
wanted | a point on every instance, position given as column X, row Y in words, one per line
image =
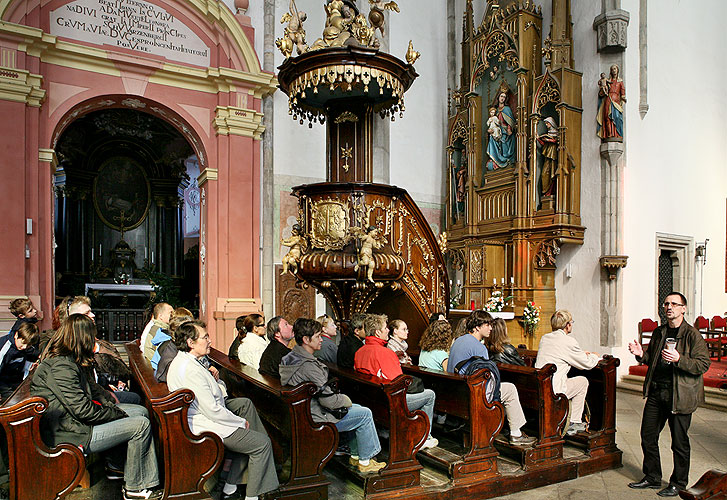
column 300, row 365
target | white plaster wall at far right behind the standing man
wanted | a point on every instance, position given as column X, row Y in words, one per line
column 675, row 175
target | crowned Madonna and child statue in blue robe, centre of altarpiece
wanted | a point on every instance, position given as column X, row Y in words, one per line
column 501, row 134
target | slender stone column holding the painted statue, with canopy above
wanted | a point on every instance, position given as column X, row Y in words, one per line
column 611, row 28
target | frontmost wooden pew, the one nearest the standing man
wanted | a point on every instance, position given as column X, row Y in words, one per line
column 599, row 442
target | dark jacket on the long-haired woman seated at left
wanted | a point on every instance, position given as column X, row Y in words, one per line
column 75, row 402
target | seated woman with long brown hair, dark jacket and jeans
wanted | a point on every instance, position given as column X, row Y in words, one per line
column 82, row 413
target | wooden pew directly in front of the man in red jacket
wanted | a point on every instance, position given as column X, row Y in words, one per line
column 464, row 397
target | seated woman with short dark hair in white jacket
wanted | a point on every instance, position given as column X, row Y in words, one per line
column 235, row 421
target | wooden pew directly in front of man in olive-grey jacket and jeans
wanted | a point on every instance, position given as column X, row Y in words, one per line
column 407, row 430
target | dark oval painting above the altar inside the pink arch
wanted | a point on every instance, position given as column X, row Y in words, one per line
column 121, row 193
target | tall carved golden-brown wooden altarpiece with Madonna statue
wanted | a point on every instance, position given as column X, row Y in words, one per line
column 514, row 158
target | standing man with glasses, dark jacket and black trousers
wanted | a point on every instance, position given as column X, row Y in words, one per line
column 673, row 389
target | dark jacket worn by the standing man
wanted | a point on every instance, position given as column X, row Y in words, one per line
column 688, row 385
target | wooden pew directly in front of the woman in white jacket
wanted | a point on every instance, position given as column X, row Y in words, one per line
column 285, row 410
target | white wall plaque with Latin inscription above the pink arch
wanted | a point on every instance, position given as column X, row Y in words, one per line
column 131, row 24
